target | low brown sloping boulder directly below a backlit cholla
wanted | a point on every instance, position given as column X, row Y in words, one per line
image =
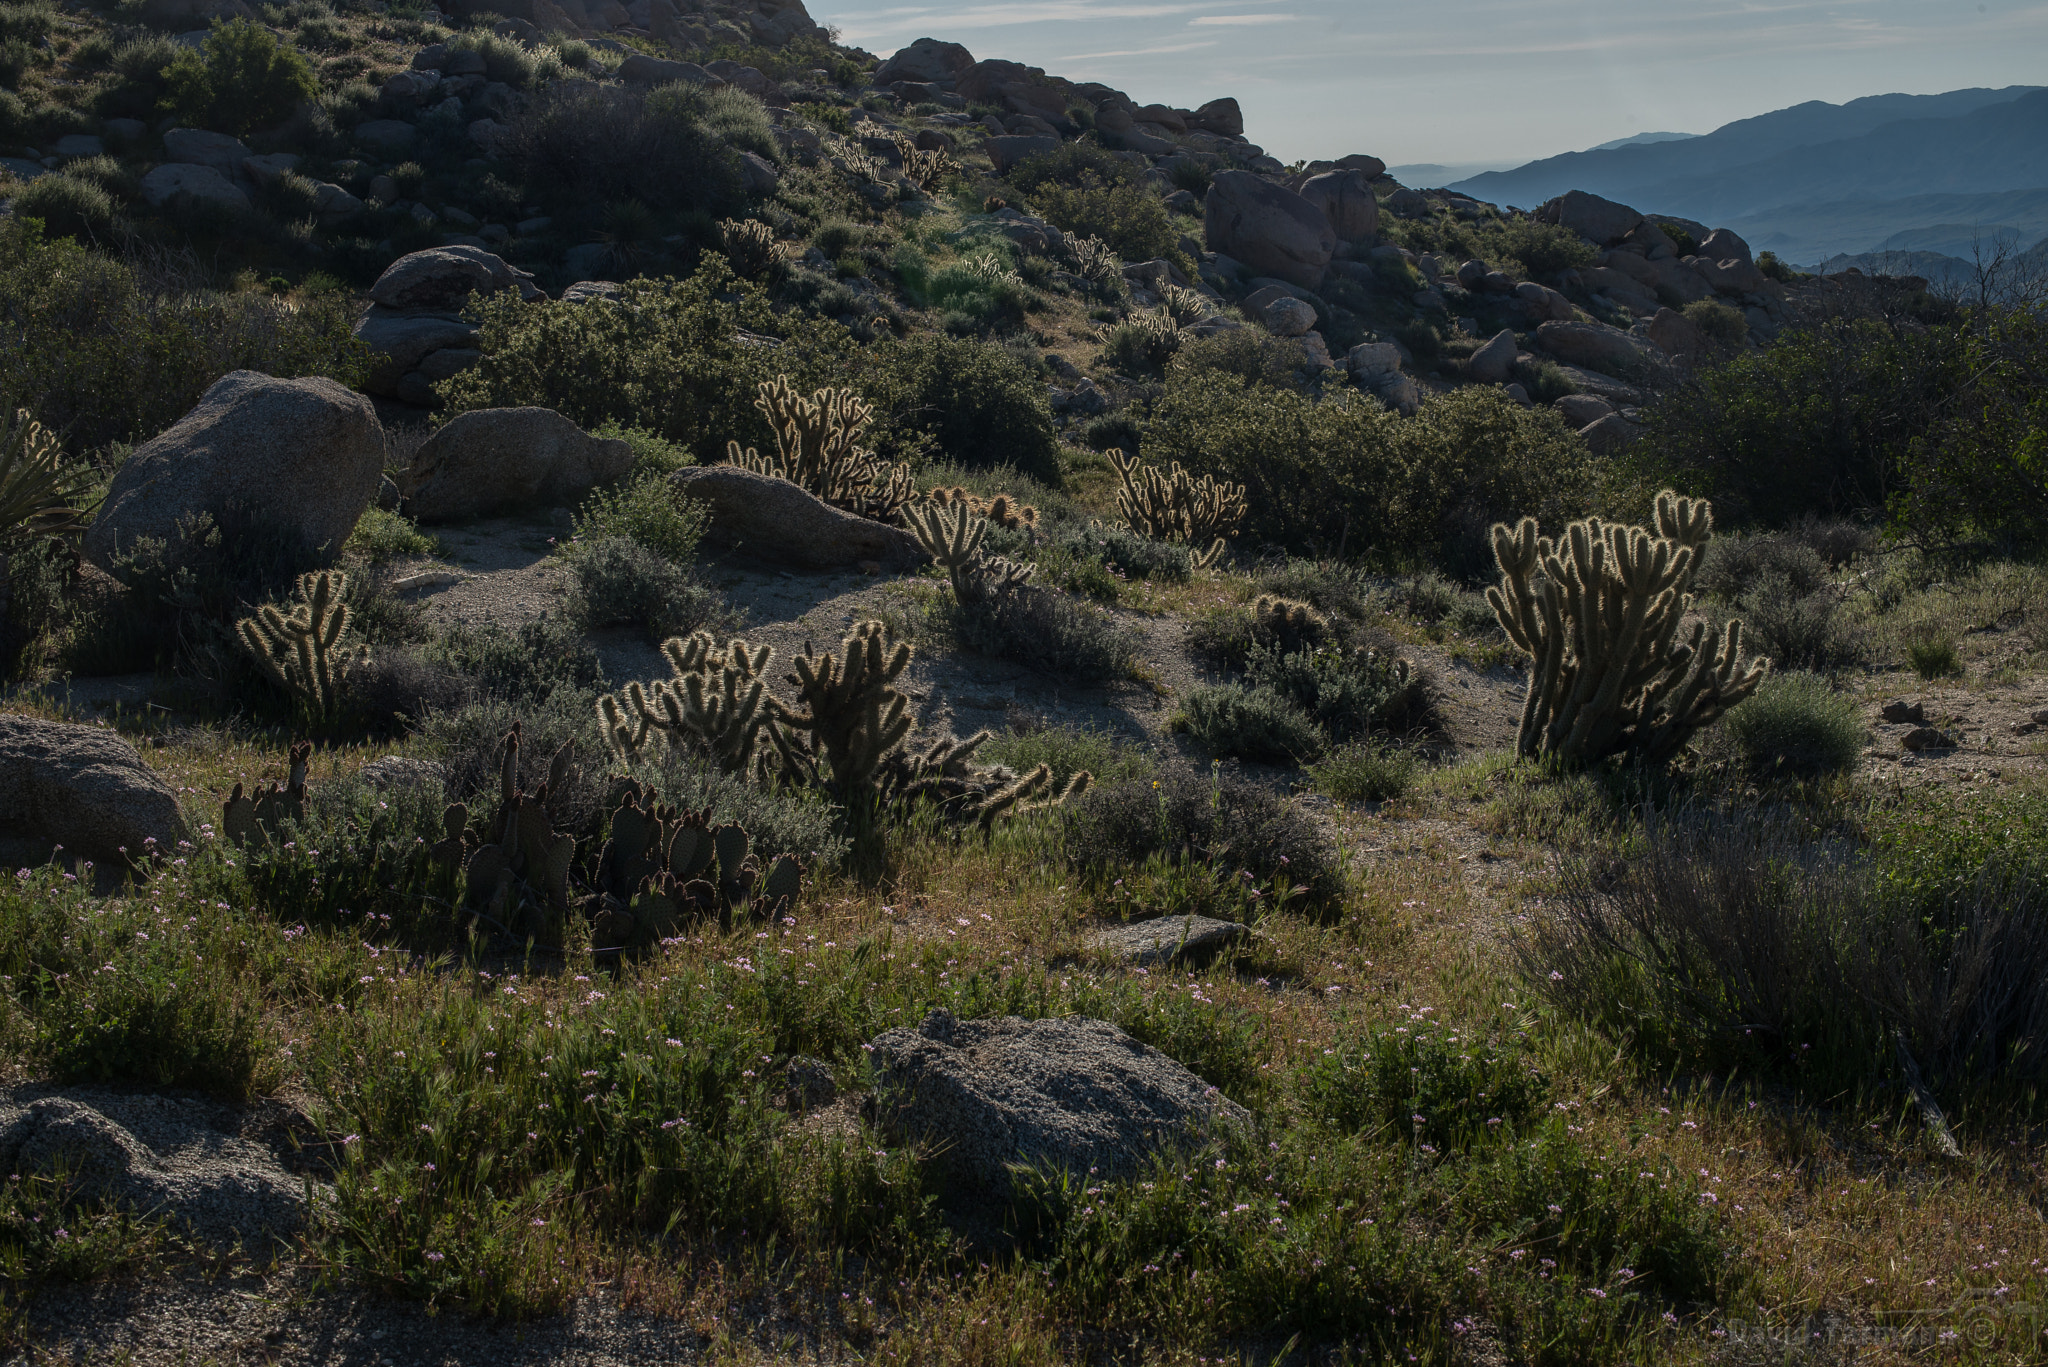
column 787, row 524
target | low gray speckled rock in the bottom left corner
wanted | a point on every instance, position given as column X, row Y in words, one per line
column 155, row 1157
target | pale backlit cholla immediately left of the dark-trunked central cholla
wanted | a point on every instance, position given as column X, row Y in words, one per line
column 716, row 698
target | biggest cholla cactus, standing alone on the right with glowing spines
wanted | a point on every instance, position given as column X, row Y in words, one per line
column 1598, row 618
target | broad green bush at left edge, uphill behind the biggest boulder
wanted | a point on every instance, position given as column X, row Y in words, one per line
column 112, row 351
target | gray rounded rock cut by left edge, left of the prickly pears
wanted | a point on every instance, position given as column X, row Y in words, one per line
column 83, row 788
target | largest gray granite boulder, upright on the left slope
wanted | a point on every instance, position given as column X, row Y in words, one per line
column 292, row 456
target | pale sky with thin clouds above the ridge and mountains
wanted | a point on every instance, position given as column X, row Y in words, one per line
column 1482, row 81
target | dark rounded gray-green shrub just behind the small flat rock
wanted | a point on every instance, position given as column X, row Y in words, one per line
column 1193, row 815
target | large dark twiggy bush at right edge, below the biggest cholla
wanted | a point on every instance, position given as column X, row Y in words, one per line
column 1734, row 940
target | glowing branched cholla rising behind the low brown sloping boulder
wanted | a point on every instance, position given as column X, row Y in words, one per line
column 818, row 448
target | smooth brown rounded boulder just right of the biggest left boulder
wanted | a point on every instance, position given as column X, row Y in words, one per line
column 499, row 460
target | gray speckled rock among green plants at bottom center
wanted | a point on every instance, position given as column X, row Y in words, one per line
column 1076, row 1095
